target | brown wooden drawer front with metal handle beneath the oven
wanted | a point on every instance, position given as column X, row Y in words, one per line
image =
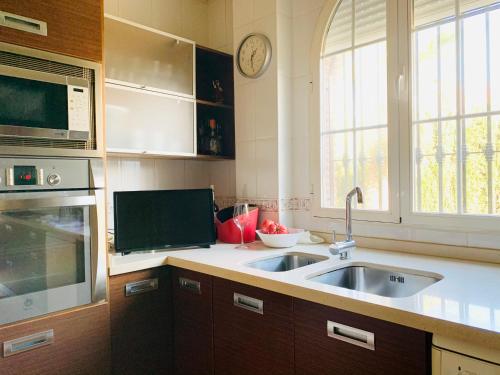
column 73, row 342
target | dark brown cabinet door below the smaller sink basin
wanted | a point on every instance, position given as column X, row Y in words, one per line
column 253, row 330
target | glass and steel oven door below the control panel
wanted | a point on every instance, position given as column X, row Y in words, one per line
column 45, row 255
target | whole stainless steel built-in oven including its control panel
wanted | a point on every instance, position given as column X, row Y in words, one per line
column 52, row 236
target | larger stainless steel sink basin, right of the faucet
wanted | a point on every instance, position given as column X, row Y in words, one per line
column 377, row 280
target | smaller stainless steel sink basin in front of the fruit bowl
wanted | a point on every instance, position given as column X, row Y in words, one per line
column 286, row 262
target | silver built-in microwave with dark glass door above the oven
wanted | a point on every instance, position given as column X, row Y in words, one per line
column 43, row 105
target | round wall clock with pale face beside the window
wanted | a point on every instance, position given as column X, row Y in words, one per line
column 254, row 55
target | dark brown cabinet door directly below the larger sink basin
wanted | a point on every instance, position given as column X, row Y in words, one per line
column 345, row 345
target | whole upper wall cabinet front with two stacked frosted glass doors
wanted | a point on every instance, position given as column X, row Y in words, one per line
column 150, row 90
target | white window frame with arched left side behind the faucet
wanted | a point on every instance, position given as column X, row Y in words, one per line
column 399, row 90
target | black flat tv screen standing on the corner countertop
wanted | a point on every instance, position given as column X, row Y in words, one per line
column 149, row 220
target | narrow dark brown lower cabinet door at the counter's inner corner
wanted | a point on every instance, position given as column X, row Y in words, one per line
column 193, row 323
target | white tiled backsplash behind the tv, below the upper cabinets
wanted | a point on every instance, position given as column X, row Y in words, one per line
column 154, row 174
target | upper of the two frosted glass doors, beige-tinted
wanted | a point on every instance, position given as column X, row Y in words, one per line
column 148, row 59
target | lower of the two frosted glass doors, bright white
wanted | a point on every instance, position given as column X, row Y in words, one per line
column 143, row 121
